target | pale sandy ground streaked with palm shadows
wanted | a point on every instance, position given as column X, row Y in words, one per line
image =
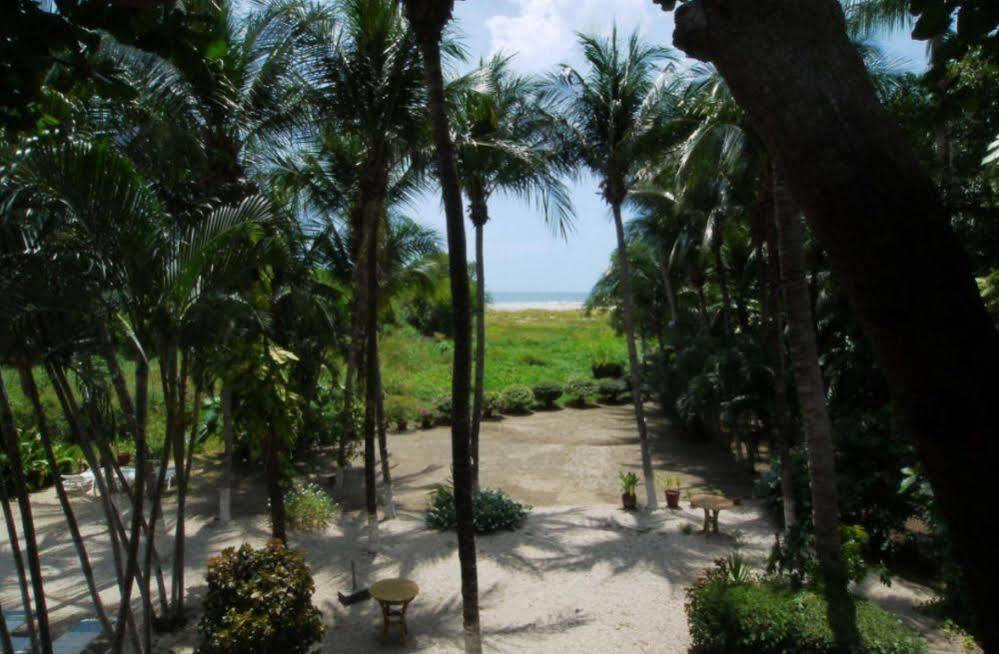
column 581, row 575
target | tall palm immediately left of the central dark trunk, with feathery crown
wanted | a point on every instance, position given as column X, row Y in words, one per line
column 366, row 74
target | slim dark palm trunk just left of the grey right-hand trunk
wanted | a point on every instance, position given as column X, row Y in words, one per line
column 774, row 326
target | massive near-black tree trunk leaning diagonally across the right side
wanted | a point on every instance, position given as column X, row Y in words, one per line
column 875, row 212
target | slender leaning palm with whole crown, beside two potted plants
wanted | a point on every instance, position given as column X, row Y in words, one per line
column 614, row 120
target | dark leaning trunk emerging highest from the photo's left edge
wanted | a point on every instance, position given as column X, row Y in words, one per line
column 9, row 433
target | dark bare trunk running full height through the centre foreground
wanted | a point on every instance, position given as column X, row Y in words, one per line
column 428, row 18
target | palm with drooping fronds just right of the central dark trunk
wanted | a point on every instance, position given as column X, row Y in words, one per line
column 503, row 144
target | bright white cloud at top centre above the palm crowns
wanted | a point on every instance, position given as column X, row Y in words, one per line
column 543, row 32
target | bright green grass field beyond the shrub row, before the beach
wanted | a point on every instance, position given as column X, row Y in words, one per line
column 523, row 347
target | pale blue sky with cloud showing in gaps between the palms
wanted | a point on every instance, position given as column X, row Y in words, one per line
column 521, row 253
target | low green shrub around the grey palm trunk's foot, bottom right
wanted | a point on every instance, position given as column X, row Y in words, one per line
column 730, row 612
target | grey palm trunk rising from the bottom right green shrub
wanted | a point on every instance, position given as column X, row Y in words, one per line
column 815, row 419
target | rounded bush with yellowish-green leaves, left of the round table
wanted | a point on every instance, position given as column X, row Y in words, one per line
column 259, row 601
